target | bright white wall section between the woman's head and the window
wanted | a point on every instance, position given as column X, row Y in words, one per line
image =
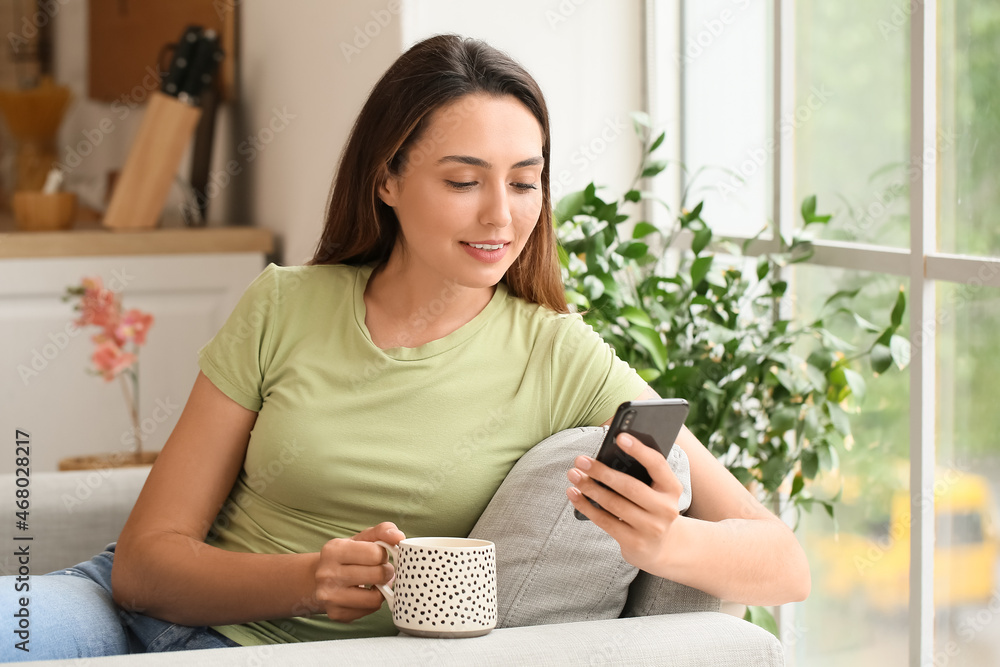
column 585, row 54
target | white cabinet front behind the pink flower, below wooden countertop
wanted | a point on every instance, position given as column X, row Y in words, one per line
column 45, row 389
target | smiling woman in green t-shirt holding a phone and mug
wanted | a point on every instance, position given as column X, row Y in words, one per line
column 388, row 387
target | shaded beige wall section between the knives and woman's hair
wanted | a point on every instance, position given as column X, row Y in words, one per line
column 318, row 60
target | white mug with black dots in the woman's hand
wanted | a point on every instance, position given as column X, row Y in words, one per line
column 445, row 586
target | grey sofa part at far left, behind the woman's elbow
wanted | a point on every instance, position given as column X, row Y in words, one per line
column 72, row 515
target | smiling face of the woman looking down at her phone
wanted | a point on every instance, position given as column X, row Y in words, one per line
column 470, row 191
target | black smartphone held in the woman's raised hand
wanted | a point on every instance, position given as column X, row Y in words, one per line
column 655, row 423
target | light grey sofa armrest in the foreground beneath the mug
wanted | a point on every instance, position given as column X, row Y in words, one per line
column 700, row 639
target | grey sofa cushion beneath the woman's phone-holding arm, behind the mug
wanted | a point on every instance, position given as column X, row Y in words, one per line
column 551, row 567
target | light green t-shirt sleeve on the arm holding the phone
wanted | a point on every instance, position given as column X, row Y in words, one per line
column 589, row 381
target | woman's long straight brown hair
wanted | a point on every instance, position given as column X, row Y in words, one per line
column 360, row 228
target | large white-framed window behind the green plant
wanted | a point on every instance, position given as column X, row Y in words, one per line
column 888, row 111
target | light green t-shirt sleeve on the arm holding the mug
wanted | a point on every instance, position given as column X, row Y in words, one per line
column 236, row 358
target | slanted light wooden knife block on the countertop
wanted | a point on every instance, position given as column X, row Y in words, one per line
column 149, row 171
